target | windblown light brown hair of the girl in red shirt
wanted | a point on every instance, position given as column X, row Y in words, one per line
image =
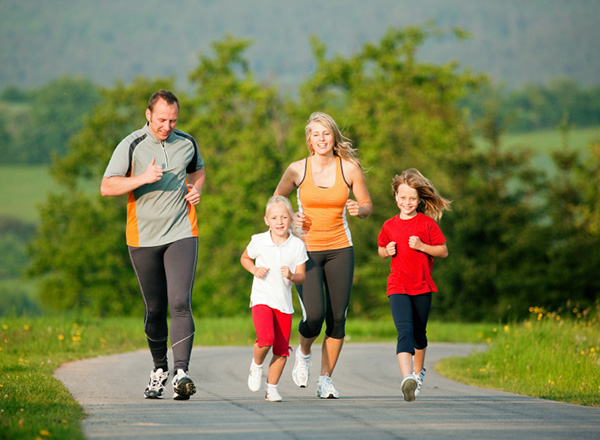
column 432, row 204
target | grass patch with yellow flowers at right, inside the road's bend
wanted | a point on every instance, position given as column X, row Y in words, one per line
column 550, row 356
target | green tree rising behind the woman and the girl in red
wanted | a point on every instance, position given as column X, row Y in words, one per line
column 400, row 114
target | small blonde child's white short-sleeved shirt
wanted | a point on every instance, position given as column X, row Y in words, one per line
column 273, row 289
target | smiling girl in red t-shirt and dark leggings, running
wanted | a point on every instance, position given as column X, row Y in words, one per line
column 412, row 238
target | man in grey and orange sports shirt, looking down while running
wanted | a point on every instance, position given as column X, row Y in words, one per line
column 162, row 172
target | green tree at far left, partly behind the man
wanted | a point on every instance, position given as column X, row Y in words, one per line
column 79, row 251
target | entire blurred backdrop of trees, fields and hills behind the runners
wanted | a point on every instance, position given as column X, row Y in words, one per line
column 509, row 133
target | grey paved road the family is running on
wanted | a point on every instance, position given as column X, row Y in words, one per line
column 110, row 389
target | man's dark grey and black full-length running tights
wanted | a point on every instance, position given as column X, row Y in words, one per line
column 166, row 277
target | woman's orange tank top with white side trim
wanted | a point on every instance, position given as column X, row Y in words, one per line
column 325, row 226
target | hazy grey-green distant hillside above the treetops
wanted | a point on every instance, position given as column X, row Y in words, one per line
column 514, row 41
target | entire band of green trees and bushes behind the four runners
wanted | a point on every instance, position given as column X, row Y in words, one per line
column 517, row 237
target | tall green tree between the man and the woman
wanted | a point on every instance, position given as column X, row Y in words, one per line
column 238, row 125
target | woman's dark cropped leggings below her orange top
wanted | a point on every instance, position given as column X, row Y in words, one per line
column 333, row 270
